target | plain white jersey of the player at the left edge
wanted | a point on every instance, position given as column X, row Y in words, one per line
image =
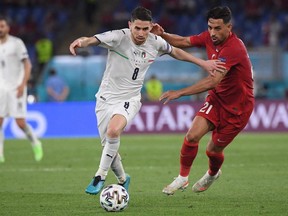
column 12, row 52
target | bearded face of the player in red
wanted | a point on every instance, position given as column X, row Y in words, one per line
column 219, row 31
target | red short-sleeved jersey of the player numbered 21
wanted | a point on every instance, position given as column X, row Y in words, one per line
column 235, row 91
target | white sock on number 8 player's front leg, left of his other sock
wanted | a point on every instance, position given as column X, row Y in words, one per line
column 108, row 154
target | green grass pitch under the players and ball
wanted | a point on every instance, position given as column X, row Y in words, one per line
column 254, row 180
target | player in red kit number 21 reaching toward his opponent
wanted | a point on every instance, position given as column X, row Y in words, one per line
column 230, row 99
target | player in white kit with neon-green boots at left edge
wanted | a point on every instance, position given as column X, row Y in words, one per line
column 15, row 69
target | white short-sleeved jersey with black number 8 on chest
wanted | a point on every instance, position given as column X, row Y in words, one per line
column 127, row 64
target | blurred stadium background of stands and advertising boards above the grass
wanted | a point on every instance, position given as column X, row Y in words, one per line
column 263, row 26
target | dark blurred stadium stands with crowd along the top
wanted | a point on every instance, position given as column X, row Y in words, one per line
column 45, row 26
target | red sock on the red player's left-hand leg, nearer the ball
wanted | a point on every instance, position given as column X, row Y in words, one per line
column 187, row 156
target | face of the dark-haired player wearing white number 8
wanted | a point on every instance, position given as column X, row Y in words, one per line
column 139, row 31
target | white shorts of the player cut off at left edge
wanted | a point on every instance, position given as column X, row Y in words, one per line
column 11, row 105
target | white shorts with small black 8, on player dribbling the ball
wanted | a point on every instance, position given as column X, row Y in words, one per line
column 104, row 112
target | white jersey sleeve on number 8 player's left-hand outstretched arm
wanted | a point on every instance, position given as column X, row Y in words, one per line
column 110, row 39
